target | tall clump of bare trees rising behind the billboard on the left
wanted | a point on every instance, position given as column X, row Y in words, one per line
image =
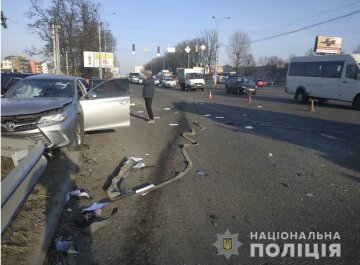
column 79, row 20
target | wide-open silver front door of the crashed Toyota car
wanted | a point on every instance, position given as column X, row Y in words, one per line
column 107, row 105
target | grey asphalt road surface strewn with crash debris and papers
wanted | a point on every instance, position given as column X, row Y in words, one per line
column 292, row 171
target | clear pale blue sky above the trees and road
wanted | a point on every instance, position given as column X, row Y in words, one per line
column 165, row 23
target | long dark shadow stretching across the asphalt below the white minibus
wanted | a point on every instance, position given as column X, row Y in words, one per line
column 342, row 149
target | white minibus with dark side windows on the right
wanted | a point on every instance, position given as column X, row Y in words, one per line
column 335, row 77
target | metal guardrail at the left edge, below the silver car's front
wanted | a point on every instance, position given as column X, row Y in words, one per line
column 30, row 164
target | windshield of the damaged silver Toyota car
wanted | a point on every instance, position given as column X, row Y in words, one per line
column 34, row 88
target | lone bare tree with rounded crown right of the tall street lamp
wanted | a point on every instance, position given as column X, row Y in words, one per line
column 239, row 49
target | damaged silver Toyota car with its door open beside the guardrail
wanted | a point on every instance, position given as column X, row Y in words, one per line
column 57, row 109
